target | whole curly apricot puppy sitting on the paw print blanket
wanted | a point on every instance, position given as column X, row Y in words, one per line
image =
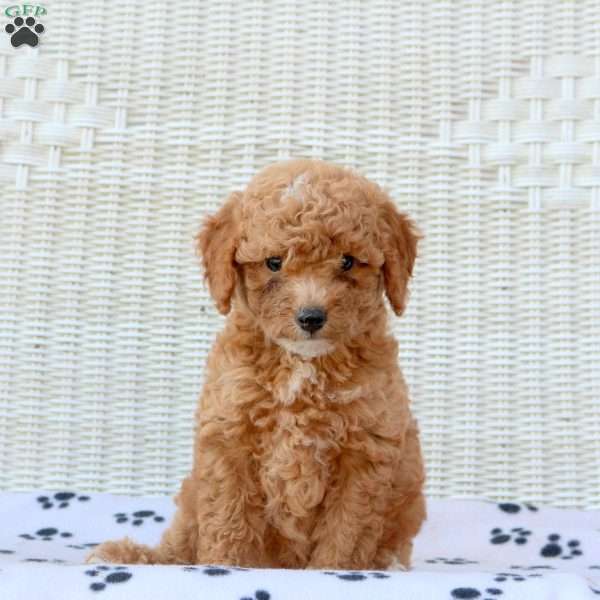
column 306, row 454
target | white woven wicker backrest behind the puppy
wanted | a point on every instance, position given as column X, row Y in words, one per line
column 131, row 121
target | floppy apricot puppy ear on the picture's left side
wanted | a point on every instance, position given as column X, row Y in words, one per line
column 217, row 243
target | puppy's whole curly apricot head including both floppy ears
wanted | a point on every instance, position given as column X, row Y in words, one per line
column 309, row 249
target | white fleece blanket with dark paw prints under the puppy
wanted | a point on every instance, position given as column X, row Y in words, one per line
column 467, row 550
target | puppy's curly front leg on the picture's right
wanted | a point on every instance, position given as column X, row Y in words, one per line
column 348, row 532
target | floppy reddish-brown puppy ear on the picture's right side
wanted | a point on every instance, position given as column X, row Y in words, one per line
column 400, row 251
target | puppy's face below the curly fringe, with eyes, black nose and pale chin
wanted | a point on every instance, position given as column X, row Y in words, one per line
column 310, row 303
